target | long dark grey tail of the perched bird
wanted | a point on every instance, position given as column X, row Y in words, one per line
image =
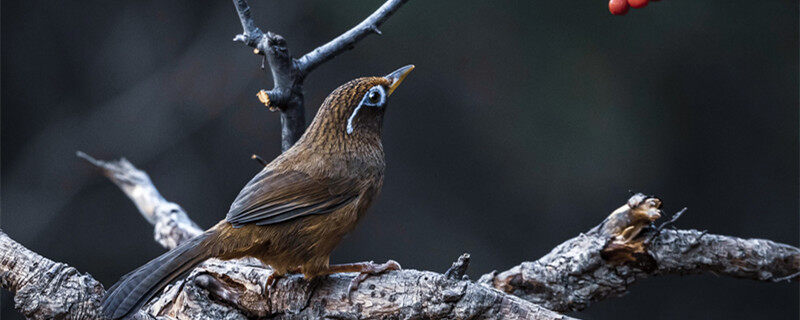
column 137, row 287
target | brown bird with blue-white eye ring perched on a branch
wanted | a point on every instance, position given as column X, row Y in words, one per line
column 294, row 212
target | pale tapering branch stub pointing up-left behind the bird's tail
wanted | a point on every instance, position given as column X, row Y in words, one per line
column 172, row 224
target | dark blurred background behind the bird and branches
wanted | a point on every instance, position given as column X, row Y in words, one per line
column 524, row 124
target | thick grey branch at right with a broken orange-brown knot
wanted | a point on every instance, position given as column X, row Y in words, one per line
column 604, row 262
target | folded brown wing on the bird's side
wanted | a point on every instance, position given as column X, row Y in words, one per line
column 273, row 197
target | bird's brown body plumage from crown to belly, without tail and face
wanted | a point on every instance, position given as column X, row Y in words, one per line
column 297, row 209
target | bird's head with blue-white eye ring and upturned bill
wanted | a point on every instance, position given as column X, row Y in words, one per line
column 355, row 110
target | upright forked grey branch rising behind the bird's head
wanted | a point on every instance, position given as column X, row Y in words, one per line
column 288, row 73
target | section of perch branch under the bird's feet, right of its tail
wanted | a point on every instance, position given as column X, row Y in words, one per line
column 211, row 290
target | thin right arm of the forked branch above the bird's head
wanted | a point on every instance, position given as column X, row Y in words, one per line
column 347, row 40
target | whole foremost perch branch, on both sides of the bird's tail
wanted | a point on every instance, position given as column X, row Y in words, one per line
column 234, row 290
